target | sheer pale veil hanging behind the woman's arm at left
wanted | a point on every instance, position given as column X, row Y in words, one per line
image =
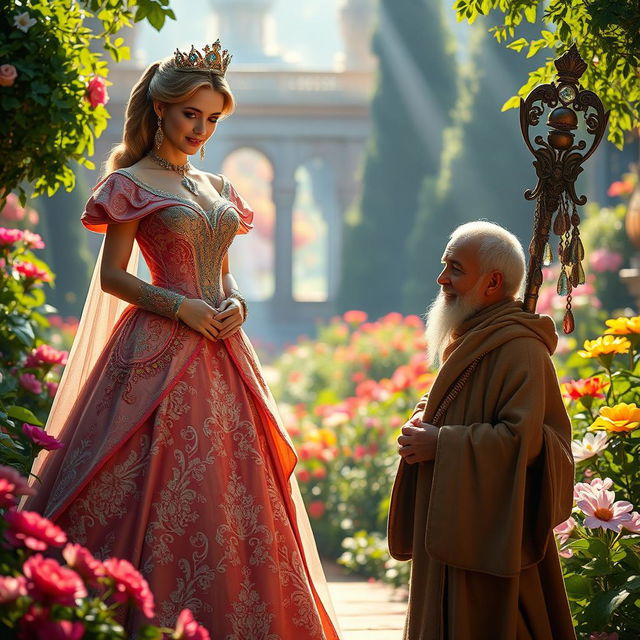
column 99, row 315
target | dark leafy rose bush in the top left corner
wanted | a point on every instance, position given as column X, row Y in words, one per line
column 53, row 84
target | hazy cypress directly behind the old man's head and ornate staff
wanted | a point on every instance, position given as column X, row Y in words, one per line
column 485, row 167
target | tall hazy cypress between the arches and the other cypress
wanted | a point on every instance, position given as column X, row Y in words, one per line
column 410, row 109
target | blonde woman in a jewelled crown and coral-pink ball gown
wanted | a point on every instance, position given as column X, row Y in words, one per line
column 175, row 458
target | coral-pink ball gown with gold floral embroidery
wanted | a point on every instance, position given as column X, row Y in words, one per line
column 175, row 457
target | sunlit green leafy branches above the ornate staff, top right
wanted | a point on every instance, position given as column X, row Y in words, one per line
column 606, row 33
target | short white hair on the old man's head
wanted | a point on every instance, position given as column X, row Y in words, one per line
column 498, row 250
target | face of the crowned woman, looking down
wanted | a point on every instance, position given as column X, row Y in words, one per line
column 189, row 124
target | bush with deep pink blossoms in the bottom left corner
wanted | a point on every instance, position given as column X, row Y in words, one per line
column 52, row 589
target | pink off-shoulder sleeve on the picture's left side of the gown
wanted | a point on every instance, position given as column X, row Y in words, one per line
column 118, row 199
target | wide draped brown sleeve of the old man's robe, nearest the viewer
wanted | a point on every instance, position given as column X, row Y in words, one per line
column 499, row 488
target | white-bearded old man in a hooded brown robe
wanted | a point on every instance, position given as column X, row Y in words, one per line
column 486, row 470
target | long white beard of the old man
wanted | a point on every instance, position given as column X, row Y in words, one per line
column 443, row 318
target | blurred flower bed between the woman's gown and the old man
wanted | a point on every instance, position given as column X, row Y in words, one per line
column 343, row 400
